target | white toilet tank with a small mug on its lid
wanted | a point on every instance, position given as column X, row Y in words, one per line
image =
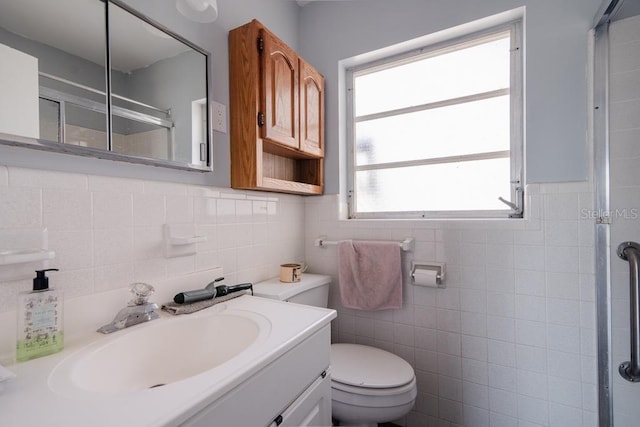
column 312, row 289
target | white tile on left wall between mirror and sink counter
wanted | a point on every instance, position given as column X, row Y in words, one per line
column 107, row 232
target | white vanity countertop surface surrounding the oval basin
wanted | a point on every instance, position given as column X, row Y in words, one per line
column 30, row 399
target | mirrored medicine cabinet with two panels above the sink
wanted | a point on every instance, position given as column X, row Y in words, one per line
column 98, row 79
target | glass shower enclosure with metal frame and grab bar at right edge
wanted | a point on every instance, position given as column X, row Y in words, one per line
column 616, row 118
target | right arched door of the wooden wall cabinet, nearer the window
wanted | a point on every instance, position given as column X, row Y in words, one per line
column 311, row 110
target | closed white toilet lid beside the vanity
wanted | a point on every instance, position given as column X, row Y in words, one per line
column 365, row 366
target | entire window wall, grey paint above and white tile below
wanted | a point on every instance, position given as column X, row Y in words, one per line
column 511, row 340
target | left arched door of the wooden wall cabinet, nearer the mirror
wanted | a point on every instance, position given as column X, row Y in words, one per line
column 280, row 94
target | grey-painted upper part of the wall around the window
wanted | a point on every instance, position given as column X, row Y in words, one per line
column 555, row 75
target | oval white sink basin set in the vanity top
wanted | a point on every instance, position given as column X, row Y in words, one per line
column 158, row 353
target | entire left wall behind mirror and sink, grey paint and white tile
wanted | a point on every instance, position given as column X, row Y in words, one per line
column 104, row 218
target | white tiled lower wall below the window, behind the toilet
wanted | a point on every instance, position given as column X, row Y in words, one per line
column 510, row 341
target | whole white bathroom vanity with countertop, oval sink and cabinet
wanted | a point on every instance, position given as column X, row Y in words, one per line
column 248, row 361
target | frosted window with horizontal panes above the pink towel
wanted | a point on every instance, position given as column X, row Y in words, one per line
column 437, row 132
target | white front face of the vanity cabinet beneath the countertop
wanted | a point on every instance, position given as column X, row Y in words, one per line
column 292, row 390
